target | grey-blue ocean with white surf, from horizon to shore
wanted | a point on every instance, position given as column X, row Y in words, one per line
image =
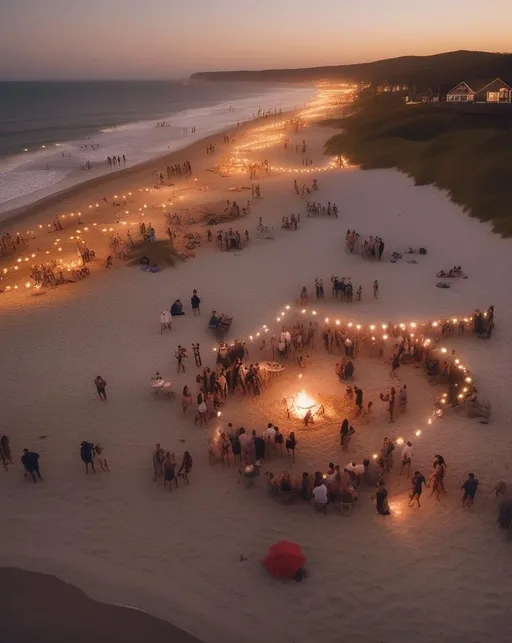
column 49, row 131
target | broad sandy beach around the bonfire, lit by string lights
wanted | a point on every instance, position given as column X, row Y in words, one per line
column 193, row 557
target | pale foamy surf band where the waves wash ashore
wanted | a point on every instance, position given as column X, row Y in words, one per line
column 25, row 179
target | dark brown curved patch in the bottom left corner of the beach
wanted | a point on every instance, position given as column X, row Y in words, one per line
column 43, row 609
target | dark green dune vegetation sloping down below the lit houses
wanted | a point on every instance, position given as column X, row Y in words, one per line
column 465, row 149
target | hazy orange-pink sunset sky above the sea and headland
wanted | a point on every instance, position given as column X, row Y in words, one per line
column 152, row 39
